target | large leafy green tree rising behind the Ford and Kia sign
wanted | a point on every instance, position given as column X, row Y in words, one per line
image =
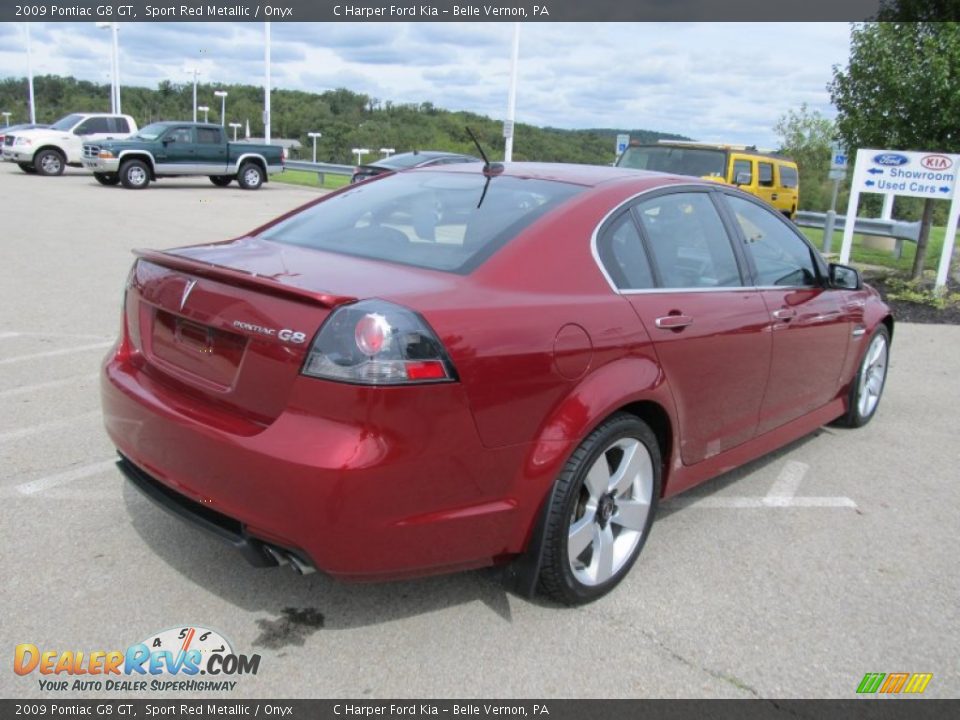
column 899, row 91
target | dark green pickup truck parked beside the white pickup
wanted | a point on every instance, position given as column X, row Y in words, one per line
column 173, row 149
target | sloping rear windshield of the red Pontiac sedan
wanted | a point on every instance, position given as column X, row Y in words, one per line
column 436, row 220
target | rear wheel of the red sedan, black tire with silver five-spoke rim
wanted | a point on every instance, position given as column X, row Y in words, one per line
column 571, row 502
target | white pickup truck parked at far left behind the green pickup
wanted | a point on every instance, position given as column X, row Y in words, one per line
column 49, row 150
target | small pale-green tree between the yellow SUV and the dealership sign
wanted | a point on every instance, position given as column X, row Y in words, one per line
column 806, row 136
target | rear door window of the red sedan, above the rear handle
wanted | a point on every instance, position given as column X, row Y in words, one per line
column 688, row 242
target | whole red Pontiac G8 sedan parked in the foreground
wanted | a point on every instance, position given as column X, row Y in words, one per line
column 466, row 366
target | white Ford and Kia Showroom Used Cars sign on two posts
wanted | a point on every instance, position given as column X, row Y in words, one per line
column 913, row 174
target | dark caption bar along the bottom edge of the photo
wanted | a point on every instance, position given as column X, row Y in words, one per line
column 912, row 709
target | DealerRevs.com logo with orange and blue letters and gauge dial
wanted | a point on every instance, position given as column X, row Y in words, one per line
column 185, row 659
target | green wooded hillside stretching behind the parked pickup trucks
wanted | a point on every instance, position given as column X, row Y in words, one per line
column 345, row 118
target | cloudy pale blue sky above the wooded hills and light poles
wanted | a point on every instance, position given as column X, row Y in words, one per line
column 710, row 81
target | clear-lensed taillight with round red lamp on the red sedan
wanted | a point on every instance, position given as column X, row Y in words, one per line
column 375, row 342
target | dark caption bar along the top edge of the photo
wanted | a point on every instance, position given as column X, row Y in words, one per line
column 464, row 10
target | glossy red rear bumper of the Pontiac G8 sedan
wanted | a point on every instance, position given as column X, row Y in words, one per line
column 413, row 494
